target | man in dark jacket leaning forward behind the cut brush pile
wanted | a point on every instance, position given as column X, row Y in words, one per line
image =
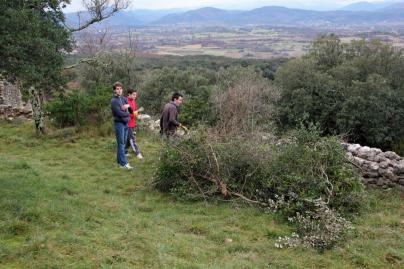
column 168, row 119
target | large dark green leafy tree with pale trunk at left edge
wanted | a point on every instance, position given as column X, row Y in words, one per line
column 34, row 41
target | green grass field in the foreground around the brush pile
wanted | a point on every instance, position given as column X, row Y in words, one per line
column 65, row 204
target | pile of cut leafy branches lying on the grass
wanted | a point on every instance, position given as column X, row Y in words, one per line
column 286, row 177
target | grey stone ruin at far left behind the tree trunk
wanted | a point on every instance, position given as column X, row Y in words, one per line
column 11, row 104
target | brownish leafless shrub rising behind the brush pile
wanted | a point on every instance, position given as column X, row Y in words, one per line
column 244, row 101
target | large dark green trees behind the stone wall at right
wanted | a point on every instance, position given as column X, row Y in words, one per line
column 353, row 89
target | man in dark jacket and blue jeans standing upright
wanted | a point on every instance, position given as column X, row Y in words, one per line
column 119, row 107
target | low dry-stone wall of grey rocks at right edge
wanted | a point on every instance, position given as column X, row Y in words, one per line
column 383, row 169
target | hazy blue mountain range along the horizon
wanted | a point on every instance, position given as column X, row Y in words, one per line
column 361, row 13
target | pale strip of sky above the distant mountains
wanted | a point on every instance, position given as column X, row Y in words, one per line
column 228, row 4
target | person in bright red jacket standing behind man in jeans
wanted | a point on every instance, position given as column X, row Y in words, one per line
column 131, row 141
